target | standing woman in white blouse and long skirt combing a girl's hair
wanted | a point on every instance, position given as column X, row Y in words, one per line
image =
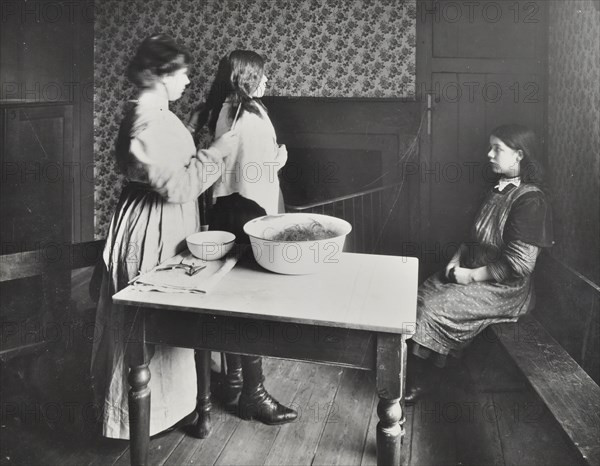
column 156, row 211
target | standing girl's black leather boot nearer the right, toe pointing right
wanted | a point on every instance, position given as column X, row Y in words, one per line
column 255, row 402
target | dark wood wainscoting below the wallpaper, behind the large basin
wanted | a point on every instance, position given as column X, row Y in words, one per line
column 340, row 150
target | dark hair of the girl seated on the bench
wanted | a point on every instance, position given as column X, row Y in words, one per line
column 519, row 137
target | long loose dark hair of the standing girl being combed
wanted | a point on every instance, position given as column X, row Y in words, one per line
column 238, row 75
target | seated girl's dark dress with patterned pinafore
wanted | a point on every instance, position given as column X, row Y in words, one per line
column 511, row 228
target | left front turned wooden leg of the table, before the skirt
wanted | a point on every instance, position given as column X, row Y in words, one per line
column 139, row 355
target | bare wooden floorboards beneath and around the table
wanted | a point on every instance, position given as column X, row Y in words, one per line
column 481, row 413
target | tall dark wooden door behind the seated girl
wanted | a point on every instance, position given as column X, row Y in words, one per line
column 479, row 65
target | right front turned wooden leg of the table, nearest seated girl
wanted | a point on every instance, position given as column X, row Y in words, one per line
column 391, row 370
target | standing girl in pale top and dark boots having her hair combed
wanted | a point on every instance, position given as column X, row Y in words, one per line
column 248, row 188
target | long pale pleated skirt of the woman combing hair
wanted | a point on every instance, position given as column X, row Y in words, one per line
column 144, row 232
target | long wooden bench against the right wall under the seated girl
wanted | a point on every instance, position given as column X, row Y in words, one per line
column 569, row 393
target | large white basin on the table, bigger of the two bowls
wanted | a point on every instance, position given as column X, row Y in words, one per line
column 296, row 257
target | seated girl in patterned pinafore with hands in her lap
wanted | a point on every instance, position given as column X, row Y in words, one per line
column 489, row 278
